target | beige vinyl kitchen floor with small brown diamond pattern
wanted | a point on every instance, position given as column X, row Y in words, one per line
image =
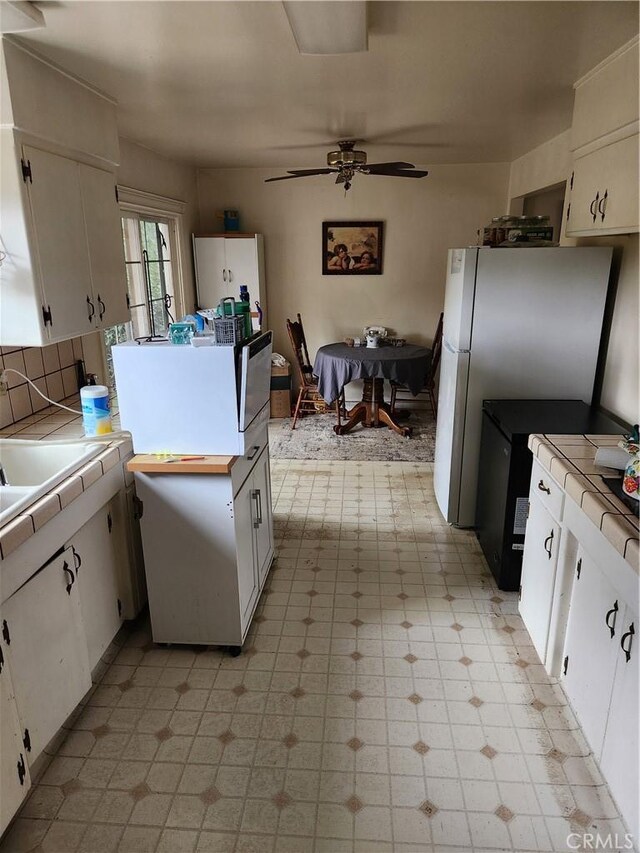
column 388, row 699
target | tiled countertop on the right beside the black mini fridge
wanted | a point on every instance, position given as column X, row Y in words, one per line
column 570, row 459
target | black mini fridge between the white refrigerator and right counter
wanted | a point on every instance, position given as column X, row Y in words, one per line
column 505, row 470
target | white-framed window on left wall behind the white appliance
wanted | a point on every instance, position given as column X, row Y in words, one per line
column 150, row 250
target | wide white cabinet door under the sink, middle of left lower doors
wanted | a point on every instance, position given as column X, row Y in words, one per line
column 43, row 637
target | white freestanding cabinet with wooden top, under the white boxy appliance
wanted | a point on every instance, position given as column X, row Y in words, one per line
column 207, row 534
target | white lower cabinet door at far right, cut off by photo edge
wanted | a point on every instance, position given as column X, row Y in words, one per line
column 620, row 760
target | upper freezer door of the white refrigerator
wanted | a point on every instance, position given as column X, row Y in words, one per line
column 458, row 302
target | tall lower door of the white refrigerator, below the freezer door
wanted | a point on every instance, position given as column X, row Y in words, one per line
column 454, row 371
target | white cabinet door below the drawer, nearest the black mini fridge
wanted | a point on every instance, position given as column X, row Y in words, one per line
column 539, row 565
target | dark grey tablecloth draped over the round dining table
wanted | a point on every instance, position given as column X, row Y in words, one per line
column 338, row 364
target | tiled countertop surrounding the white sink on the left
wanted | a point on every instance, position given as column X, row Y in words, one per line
column 53, row 424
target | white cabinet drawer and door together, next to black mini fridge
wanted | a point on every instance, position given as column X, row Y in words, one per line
column 540, row 558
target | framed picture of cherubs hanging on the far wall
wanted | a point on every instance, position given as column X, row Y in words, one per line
column 352, row 248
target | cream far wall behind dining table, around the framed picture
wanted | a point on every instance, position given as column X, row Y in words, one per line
column 422, row 219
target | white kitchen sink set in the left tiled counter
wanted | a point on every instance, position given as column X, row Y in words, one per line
column 32, row 468
